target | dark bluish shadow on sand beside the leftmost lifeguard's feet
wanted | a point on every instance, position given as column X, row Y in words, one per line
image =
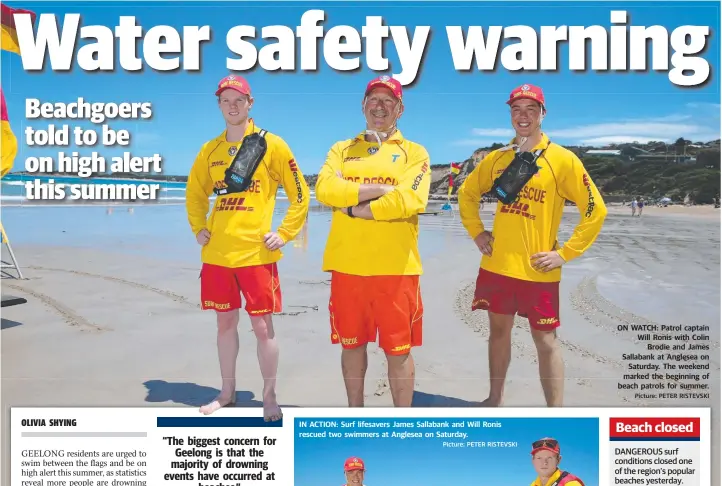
column 160, row 391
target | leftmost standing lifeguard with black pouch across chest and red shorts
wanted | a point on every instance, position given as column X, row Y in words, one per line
column 240, row 250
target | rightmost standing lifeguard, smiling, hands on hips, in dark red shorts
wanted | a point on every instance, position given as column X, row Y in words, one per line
column 521, row 258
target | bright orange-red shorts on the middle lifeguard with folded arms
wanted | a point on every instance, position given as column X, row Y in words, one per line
column 390, row 305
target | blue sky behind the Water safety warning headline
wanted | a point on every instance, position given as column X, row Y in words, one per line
column 450, row 113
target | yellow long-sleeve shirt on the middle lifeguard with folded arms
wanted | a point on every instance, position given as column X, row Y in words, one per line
column 388, row 244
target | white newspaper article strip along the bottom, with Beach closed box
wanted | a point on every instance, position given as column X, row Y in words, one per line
column 143, row 446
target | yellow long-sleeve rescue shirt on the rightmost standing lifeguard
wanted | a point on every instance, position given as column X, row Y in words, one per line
column 530, row 225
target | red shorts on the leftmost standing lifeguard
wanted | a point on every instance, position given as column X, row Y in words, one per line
column 221, row 288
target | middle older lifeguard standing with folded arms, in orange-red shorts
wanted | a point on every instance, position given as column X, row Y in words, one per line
column 372, row 248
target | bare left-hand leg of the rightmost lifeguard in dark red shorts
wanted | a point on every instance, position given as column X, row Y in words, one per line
column 499, row 356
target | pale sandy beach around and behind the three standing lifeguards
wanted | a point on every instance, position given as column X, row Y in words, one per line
column 113, row 319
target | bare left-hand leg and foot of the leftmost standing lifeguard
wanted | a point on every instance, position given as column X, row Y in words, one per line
column 227, row 355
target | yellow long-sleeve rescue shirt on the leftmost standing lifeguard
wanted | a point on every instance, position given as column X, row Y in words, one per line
column 238, row 222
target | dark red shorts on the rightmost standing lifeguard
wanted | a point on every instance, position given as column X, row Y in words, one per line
column 537, row 301
